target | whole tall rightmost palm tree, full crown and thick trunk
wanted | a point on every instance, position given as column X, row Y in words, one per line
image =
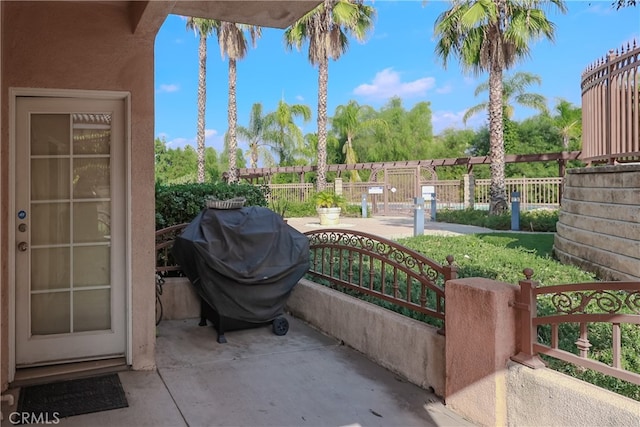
column 492, row 35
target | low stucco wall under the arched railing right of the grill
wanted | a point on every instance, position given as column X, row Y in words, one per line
column 410, row 348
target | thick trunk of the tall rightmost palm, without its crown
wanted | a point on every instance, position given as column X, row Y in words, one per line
column 497, row 189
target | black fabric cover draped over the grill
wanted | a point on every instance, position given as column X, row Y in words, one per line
column 243, row 262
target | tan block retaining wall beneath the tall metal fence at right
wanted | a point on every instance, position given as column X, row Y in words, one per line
column 599, row 224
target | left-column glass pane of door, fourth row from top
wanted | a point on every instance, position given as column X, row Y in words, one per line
column 50, row 268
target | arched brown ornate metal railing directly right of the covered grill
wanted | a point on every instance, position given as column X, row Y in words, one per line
column 370, row 265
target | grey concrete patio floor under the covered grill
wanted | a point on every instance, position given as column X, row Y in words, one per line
column 259, row 379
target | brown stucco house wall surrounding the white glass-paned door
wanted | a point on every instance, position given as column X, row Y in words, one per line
column 88, row 46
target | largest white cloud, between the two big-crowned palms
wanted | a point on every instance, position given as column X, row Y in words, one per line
column 387, row 84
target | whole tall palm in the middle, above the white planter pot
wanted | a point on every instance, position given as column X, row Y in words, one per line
column 326, row 28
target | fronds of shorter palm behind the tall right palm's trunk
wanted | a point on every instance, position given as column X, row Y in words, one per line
column 513, row 90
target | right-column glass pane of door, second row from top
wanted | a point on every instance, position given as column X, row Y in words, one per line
column 91, row 178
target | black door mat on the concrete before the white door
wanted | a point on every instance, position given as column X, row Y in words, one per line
column 73, row 397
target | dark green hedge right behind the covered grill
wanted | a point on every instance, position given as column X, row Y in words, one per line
column 176, row 204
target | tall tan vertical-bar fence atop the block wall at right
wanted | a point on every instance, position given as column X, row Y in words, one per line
column 611, row 108
